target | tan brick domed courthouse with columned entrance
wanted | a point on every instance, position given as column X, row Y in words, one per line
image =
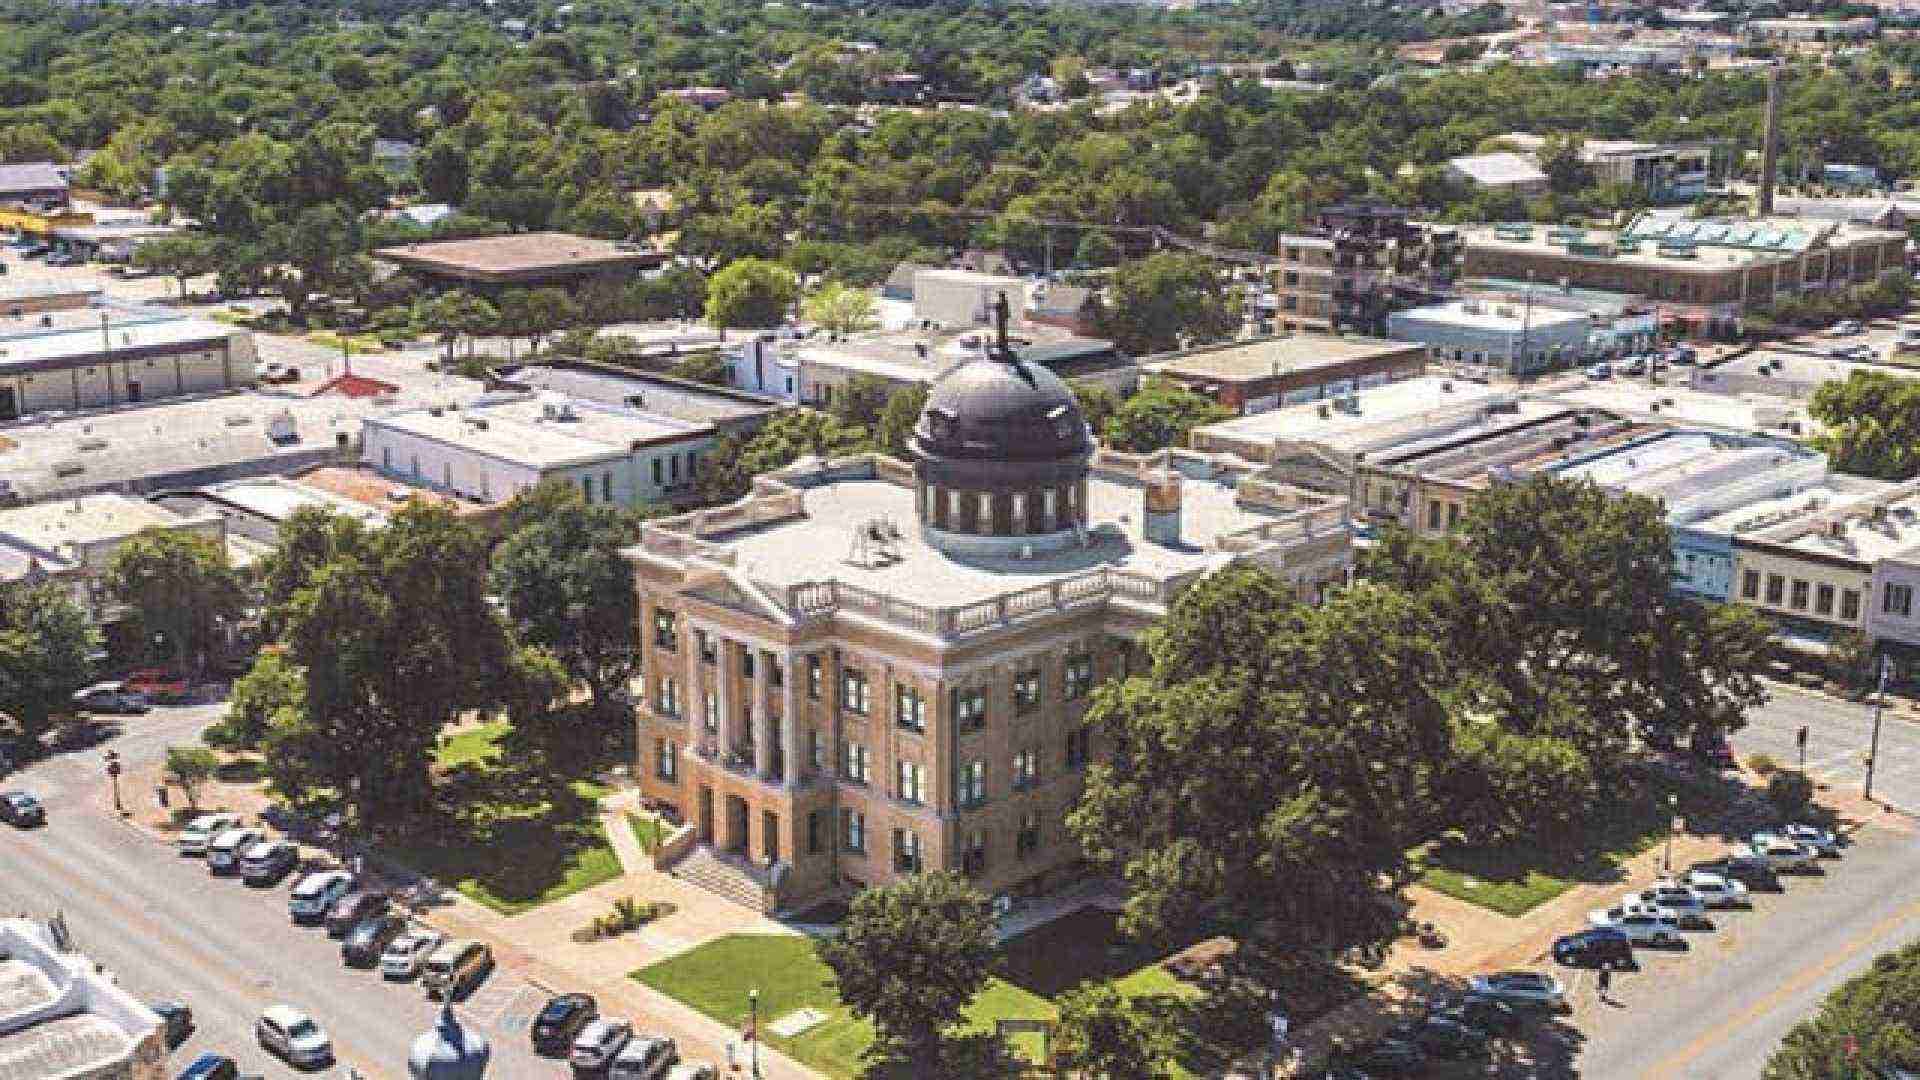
column 873, row 668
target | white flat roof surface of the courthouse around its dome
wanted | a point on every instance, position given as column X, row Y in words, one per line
column 819, row 545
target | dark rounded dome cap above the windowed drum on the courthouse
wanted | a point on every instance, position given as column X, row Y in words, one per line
column 1001, row 410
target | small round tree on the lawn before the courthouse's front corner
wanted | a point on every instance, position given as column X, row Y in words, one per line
column 911, row 958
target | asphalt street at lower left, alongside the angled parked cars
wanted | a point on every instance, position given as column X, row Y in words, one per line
column 170, row 931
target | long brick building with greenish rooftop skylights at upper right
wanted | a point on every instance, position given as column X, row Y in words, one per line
column 1704, row 274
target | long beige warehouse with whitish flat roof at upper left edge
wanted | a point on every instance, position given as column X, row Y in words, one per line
column 97, row 358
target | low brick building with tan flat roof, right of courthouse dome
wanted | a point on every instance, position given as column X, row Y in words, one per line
column 1253, row 378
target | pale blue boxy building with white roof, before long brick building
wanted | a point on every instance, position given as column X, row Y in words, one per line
column 1508, row 339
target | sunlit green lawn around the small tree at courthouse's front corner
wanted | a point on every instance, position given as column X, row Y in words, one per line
column 717, row 977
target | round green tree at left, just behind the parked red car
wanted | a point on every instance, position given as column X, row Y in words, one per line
column 180, row 591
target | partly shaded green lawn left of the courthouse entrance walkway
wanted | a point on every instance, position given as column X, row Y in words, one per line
column 519, row 841
